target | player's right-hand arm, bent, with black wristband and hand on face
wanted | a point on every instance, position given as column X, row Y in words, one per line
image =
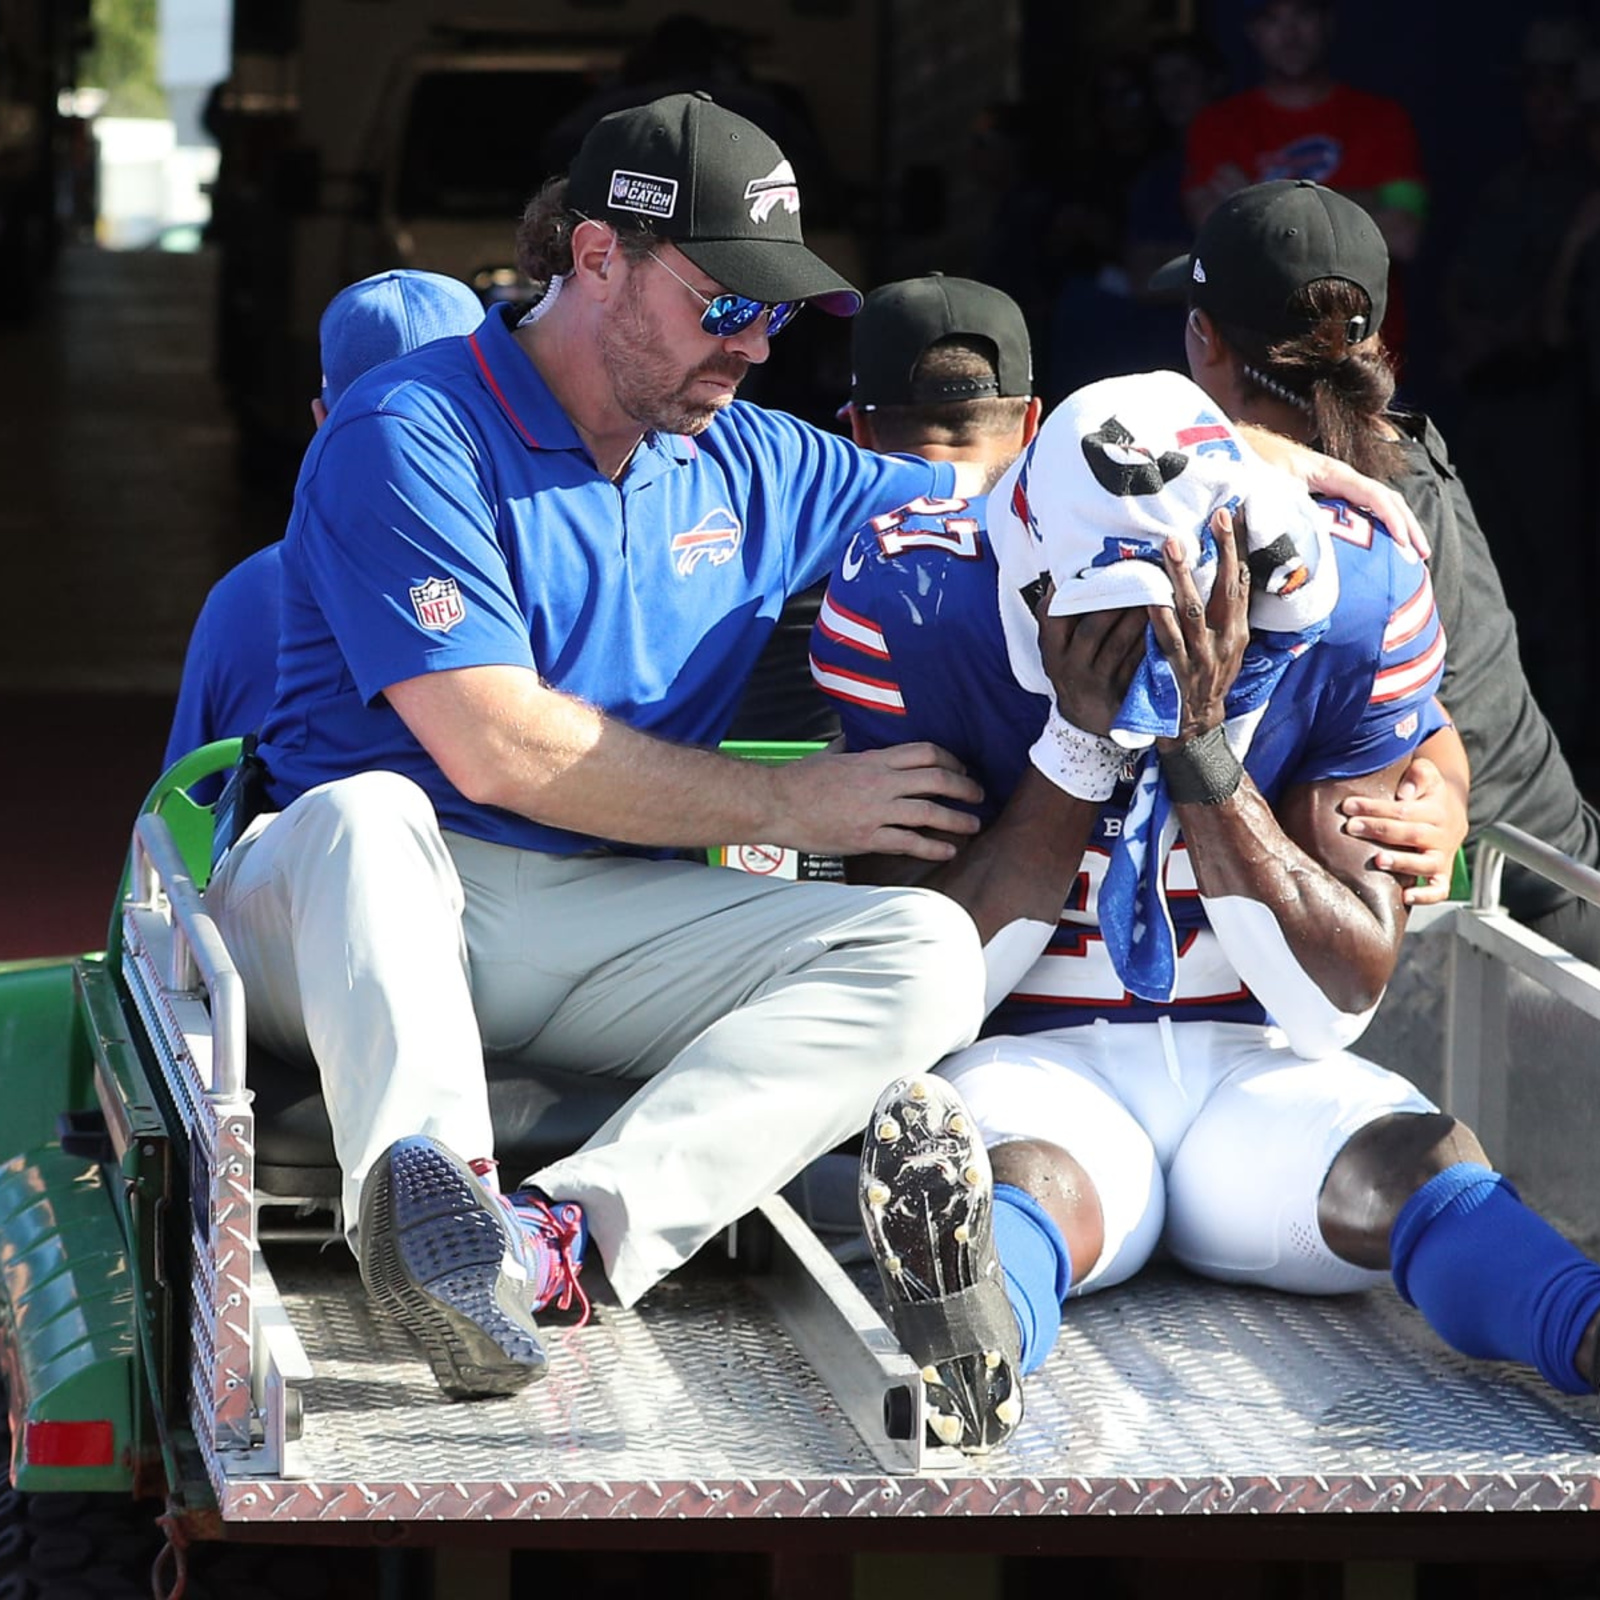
column 1338, row 914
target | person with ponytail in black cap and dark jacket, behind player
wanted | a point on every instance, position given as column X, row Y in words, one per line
column 1287, row 294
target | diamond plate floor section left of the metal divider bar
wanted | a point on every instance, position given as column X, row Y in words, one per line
column 698, row 1382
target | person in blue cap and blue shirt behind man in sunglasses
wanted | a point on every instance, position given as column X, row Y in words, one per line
column 233, row 660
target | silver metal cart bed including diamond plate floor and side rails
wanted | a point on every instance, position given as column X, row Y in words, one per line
column 786, row 1396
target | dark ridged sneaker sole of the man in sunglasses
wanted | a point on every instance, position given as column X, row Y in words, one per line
column 438, row 1260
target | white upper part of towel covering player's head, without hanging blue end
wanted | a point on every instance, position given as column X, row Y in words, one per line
column 1121, row 468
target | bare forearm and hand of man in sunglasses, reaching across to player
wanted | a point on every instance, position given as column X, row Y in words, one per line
column 506, row 740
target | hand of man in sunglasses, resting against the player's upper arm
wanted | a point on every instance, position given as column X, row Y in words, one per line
column 884, row 802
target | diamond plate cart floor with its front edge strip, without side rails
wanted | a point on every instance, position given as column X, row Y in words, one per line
column 1164, row 1396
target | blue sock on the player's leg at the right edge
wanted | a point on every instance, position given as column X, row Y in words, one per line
column 1494, row 1278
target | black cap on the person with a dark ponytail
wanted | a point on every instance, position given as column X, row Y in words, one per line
column 1263, row 244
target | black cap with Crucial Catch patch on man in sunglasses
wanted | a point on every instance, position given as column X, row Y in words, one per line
column 718, row 188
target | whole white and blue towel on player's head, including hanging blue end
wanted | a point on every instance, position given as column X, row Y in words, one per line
column 1118, row 470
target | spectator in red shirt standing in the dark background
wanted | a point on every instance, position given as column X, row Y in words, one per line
column 1302, row 122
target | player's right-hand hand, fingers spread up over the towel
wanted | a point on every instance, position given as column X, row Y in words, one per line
column 1206, row 642
